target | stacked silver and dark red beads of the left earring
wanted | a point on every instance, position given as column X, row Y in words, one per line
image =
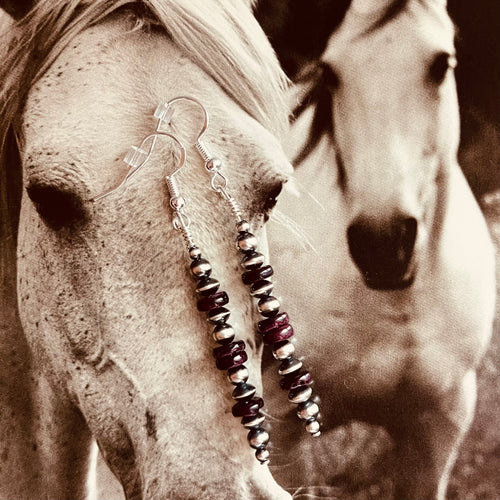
column 231, row 354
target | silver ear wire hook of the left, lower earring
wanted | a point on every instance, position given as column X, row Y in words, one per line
column 137, row 157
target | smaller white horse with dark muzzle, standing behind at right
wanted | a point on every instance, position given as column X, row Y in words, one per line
column 394, row 305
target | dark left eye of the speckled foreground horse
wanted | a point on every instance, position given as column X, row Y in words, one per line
column 57, row 207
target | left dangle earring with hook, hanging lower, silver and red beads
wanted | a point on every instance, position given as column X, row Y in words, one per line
column 230, row 356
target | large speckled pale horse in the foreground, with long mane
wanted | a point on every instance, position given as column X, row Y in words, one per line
column 100, row 337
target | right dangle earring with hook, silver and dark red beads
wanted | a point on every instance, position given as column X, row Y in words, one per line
column 275, row 326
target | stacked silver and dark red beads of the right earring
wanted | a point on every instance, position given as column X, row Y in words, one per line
column 276, row 329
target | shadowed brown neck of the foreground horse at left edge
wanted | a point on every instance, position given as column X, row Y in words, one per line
column 41, row 436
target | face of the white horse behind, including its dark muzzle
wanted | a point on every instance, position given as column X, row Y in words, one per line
column 396, row 132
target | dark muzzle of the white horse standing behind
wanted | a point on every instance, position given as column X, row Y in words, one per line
column 383, row 250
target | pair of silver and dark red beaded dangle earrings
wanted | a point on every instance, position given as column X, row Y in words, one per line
column 274, row 327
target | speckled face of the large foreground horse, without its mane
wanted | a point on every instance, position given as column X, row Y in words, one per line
column 106, row 299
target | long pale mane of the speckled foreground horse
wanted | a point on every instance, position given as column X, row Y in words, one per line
column 220, row 36
